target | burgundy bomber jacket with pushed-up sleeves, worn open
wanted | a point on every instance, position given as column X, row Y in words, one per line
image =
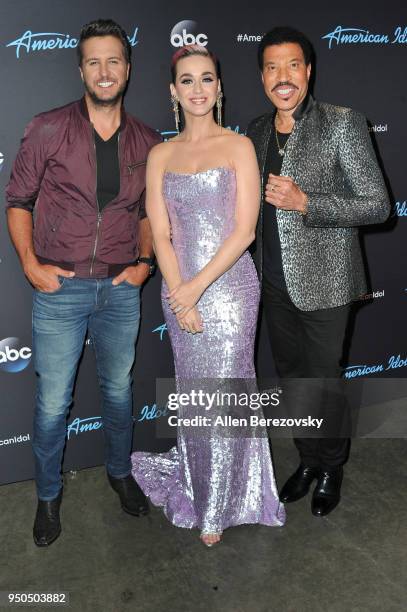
column 54, row 176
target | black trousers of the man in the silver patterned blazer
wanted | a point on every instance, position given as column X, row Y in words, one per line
column 308, row 345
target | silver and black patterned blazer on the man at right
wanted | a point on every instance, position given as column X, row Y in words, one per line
column 330, row 156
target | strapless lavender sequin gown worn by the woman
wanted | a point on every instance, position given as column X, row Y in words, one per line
column 211, row 481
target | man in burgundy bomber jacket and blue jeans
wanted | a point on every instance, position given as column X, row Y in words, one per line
column 80, row 172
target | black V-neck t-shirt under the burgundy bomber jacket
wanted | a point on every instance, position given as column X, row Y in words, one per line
column 108, row 171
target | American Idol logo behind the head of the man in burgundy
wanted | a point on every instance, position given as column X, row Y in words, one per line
column 49, row 41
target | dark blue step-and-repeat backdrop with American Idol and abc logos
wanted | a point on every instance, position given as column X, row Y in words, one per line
column 361, row 50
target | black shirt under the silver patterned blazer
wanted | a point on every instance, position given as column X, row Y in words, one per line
column 272, row 262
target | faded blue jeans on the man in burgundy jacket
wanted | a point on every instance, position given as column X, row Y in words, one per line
column 60, row 322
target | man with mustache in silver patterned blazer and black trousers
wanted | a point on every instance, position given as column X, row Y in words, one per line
column 320, row 181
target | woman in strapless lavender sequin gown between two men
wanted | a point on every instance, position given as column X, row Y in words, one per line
column 202, row 202
